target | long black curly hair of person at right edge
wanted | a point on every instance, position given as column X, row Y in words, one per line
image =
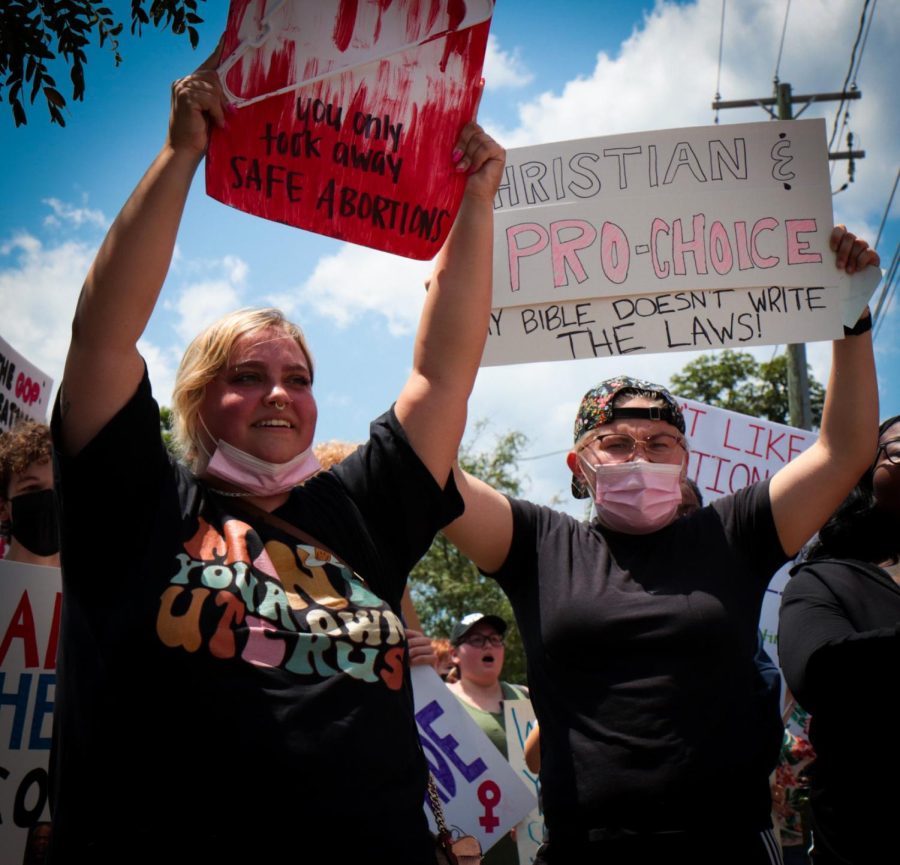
column 859, row 529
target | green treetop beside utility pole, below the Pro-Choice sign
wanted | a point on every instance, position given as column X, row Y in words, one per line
column 735, row 380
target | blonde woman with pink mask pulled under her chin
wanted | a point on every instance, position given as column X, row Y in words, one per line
column 233, row 678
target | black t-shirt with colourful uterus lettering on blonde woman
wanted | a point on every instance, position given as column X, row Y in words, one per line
column 223, row 684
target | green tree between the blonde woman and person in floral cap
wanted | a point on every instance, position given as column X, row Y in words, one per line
column 445, row 585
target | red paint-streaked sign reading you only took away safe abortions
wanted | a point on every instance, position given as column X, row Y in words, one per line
column 346, row 112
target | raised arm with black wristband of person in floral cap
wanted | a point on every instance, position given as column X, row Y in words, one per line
column 807, row 490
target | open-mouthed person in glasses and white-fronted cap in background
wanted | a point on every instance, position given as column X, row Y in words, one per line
column 477, row 654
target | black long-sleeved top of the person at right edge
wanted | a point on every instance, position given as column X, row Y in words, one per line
column 839, row 645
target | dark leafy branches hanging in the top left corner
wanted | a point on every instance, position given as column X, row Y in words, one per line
column 38, row 34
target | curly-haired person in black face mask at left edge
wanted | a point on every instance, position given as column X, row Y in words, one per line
column 27, row 507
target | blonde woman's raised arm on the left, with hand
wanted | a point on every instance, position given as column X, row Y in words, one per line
column 103, row 366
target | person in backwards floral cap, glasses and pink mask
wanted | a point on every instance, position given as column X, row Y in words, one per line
column 640, row 627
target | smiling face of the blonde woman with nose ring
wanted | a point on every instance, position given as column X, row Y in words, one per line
column 265, row 370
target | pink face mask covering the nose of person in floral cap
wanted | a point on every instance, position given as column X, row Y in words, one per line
column 637, row 498
